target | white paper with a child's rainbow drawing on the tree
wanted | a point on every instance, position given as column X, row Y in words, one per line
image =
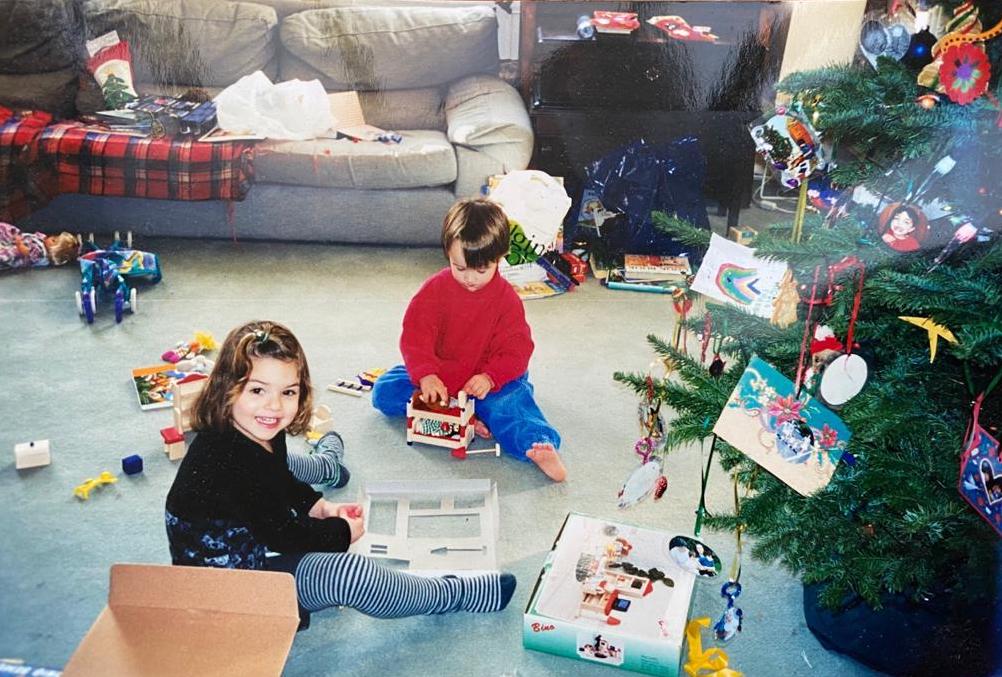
column 732, row 274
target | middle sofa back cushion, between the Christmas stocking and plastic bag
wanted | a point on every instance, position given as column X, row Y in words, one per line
column 191, row 43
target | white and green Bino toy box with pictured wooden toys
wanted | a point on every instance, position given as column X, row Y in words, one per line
column 611, row 593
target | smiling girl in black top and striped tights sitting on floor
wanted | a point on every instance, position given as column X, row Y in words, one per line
column 235, row 499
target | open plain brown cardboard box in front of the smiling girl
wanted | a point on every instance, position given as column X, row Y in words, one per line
column 166, row 620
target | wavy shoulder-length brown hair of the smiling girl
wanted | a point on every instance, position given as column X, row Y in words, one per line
column 215, row 407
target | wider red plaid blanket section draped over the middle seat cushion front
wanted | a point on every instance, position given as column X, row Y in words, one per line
column 97, row 163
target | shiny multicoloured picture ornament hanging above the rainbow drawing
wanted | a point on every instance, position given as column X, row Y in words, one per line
column 789, row 145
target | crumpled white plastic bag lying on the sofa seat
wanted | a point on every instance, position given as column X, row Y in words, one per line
column 289, row 111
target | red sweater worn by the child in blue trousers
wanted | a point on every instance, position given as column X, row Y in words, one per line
column 456, row 334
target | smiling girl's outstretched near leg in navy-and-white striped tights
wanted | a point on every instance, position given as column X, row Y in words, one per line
column 325, row 580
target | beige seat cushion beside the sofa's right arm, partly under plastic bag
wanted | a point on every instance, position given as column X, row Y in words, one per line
column 423, row 159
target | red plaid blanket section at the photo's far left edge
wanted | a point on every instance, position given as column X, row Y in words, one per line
column 26, row 186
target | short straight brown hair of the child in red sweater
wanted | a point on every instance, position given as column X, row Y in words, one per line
column 481, row 229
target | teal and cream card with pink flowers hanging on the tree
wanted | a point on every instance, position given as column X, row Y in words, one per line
column 796, row 439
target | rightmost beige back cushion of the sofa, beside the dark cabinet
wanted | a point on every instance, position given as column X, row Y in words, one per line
column 368, row 49
